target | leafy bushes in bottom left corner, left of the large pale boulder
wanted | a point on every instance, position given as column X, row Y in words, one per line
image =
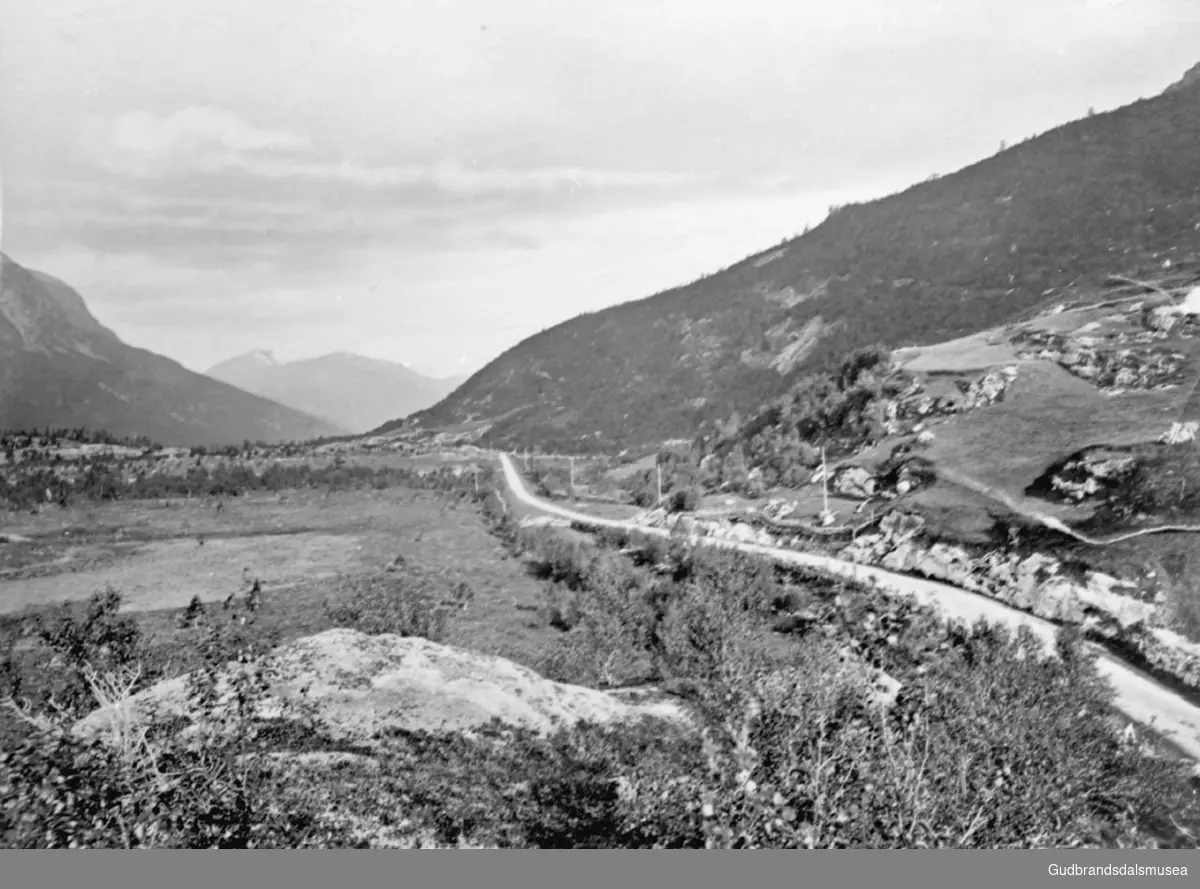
column 143, row 786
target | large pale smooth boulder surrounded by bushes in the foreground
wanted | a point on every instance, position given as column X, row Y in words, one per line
column 358, row 686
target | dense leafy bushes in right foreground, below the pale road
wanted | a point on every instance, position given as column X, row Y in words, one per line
column 987, row 746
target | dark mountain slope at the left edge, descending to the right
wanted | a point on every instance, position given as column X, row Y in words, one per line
column 62, row 368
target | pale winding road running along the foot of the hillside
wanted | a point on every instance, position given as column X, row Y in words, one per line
column 1138, row 696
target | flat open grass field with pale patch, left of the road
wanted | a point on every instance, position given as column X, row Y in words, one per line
column 307, row 549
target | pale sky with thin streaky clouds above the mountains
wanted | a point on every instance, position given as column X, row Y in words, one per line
column 433, row 182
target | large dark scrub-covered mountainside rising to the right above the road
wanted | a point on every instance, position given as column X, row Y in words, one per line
column 1114, row 194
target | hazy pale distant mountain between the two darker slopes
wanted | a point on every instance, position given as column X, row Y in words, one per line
column 352, row 392
